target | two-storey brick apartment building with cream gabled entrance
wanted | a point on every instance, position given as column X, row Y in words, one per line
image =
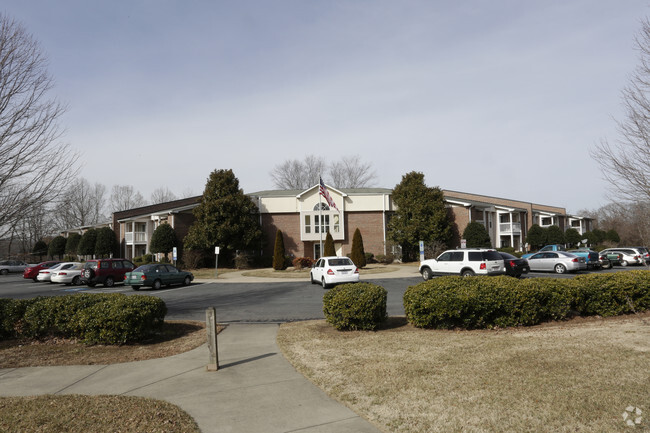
column 304, row 217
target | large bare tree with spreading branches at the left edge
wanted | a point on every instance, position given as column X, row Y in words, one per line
column 34, row 166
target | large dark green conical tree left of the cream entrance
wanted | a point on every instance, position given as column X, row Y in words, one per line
column 225, row 217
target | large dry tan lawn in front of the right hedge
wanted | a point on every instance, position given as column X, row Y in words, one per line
column 576, row 376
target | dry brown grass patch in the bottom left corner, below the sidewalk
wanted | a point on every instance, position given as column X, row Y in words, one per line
column 97, row 414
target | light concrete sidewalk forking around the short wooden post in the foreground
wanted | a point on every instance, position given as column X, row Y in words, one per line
column 255, row 389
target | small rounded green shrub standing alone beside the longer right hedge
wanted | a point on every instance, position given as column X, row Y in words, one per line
column 355, row 306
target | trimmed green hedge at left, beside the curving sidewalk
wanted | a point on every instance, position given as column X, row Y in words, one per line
column 92, row 318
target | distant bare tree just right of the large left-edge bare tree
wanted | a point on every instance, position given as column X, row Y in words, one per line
column 83, row 204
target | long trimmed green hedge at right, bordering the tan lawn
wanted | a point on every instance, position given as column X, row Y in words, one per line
column 485, row 302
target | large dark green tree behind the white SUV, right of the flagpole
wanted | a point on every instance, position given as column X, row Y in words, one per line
column 420, row 216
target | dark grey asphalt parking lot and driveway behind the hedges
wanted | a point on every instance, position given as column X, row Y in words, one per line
column 235, row 302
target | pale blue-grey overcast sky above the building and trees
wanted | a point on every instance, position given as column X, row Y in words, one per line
column 502, row 98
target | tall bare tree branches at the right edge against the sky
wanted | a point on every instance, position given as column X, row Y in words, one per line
column 626, row 162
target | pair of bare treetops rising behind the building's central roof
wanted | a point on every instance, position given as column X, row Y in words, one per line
column 350, row 172
